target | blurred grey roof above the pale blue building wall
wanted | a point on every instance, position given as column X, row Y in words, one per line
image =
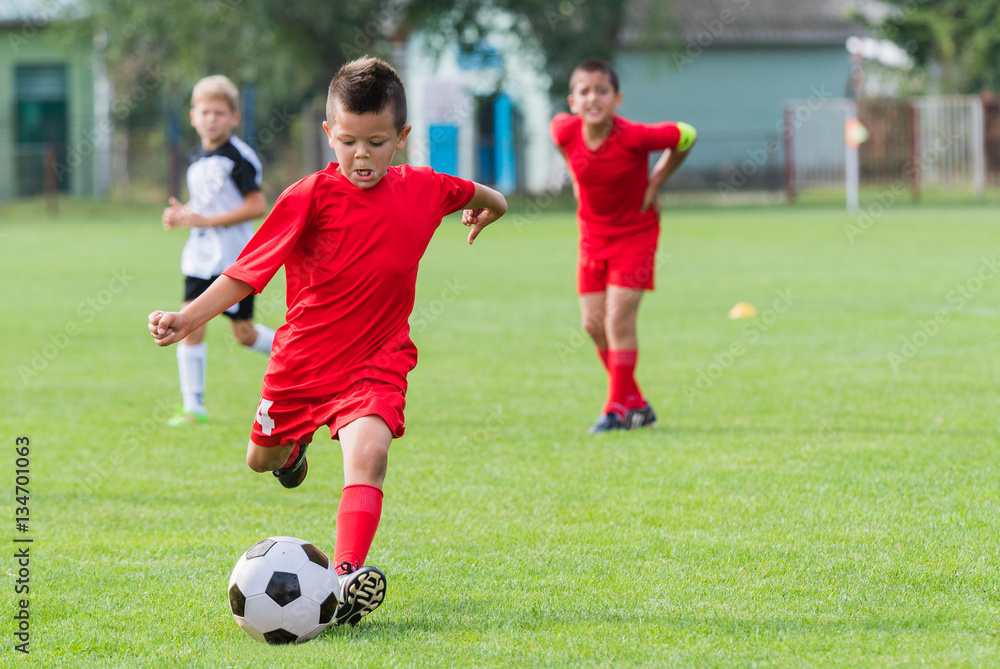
column 747, row 22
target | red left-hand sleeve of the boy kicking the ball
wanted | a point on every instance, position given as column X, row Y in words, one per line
column 276, row 238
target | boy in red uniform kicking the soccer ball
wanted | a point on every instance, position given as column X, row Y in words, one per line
column 350, row 238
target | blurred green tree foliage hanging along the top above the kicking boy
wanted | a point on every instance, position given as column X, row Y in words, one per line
column 290, row 48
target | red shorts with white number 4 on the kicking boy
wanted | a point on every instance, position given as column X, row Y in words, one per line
column 279, row 423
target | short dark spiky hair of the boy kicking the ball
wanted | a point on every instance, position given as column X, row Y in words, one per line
column 367, row 86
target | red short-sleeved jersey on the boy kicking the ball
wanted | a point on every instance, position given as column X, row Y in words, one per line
column 350, row 257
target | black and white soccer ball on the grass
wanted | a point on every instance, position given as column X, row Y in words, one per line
column 283, row 590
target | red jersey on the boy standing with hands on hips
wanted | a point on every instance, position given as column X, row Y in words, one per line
column 613, row 179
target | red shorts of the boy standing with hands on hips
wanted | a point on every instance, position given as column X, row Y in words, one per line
column 628, row 261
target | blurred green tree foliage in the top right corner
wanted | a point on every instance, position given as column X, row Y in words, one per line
column 956, row 41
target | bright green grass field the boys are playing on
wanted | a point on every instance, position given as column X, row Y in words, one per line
column 821, row 489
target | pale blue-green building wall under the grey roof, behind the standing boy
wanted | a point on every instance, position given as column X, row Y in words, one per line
column 735, row 97
